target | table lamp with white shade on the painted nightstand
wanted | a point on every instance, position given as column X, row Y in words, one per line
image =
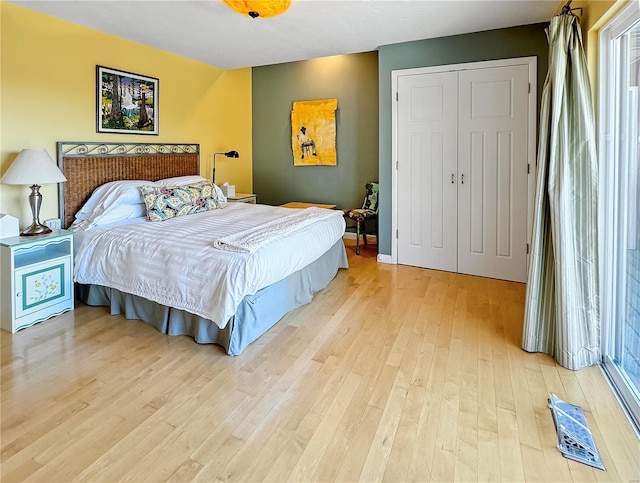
column 34, row 167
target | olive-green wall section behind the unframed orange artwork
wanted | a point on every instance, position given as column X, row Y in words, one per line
column 353, row 81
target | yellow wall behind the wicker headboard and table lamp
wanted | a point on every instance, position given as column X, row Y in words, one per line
column 48, row 89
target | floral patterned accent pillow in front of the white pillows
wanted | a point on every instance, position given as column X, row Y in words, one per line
column 165, row 202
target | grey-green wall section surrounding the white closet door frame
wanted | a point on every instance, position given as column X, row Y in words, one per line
column 525, row 41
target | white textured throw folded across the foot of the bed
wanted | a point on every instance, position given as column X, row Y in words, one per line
column 250, row 240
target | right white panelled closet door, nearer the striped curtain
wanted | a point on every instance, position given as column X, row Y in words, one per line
column 492, row 168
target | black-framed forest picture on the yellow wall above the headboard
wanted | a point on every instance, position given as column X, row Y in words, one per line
column 127, row 103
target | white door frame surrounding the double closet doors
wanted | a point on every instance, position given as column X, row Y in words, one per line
column 531, row 62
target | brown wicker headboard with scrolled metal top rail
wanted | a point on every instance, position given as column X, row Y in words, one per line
column 87, row 165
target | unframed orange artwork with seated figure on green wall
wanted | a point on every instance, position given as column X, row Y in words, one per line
column 313, row 132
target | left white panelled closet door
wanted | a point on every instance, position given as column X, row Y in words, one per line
column 427, row 159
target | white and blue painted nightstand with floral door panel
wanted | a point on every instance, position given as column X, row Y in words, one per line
column 37, row 278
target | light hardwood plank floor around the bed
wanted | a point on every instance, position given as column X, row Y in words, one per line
column 392, row 373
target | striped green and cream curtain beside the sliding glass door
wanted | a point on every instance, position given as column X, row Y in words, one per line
column 562, row 315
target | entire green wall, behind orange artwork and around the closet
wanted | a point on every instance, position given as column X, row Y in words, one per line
column 362, row 85
